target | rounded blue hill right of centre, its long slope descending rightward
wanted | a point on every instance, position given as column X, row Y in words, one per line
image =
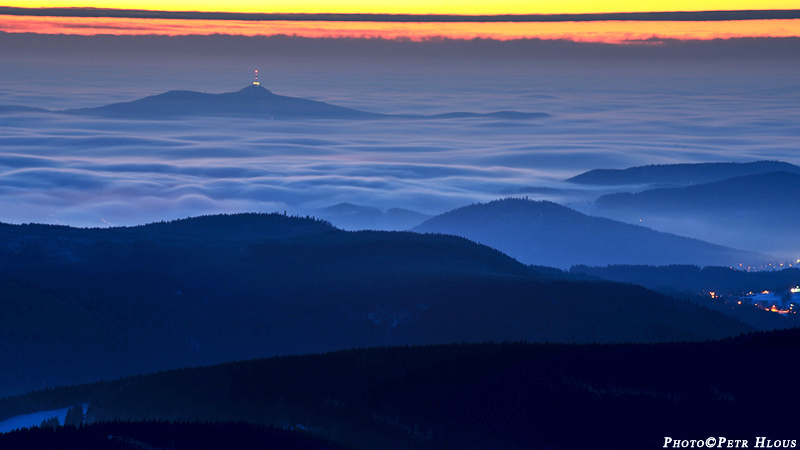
column 545, row 233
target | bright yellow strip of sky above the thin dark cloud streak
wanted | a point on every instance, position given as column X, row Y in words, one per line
column 464, row 7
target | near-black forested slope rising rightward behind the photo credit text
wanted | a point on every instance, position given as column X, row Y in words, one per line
column 478, row 396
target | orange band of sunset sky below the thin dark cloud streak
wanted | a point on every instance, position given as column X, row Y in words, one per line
column 600, row 31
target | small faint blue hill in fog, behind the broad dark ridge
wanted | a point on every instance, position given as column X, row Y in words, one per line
column 356, row 217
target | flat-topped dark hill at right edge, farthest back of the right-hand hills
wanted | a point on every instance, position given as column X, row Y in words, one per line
column 679, row 174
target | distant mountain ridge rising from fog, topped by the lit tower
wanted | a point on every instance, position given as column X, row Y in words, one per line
column 255, row 102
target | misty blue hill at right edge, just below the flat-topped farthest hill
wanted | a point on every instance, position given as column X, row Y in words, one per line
column 756, row 212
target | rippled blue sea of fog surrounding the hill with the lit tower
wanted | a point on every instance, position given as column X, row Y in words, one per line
column 94, row 172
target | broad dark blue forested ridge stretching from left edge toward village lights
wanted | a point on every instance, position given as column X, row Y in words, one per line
column 84, row 304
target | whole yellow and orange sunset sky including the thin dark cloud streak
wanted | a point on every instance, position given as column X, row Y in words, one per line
column 584, row 21
